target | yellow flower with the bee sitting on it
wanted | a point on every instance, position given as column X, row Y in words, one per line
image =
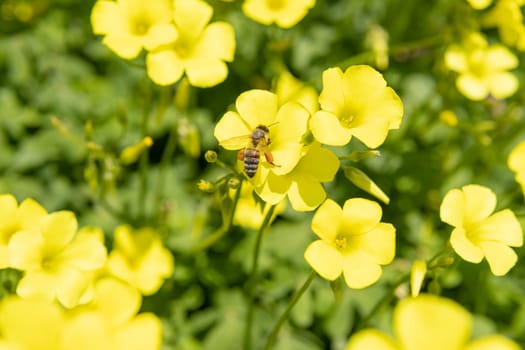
column 287, row 125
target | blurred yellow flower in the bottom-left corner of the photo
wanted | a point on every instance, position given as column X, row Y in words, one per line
column 29, row 324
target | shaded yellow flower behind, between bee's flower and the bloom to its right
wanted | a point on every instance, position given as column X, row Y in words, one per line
column 290, row 89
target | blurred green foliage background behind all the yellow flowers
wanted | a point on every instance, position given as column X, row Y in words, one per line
column 69, row 106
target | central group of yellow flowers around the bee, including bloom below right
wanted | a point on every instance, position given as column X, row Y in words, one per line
column 356, row 103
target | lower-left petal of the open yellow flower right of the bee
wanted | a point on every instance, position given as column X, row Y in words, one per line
column 327, row 129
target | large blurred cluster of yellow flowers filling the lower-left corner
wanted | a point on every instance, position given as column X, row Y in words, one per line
column 72, row 294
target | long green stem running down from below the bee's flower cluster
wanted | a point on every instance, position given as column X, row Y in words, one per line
column 253, row 279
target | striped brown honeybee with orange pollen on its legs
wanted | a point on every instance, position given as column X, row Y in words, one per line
column 258, row 142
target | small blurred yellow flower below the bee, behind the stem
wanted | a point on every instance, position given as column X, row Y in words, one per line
column 250, row 212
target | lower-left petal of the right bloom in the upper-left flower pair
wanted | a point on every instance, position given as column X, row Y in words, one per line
column 164, row 67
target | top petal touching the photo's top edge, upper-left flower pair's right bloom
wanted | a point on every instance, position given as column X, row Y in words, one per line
column 191, row 16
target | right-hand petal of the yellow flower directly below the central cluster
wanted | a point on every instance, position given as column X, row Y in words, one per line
column 380, row 243
